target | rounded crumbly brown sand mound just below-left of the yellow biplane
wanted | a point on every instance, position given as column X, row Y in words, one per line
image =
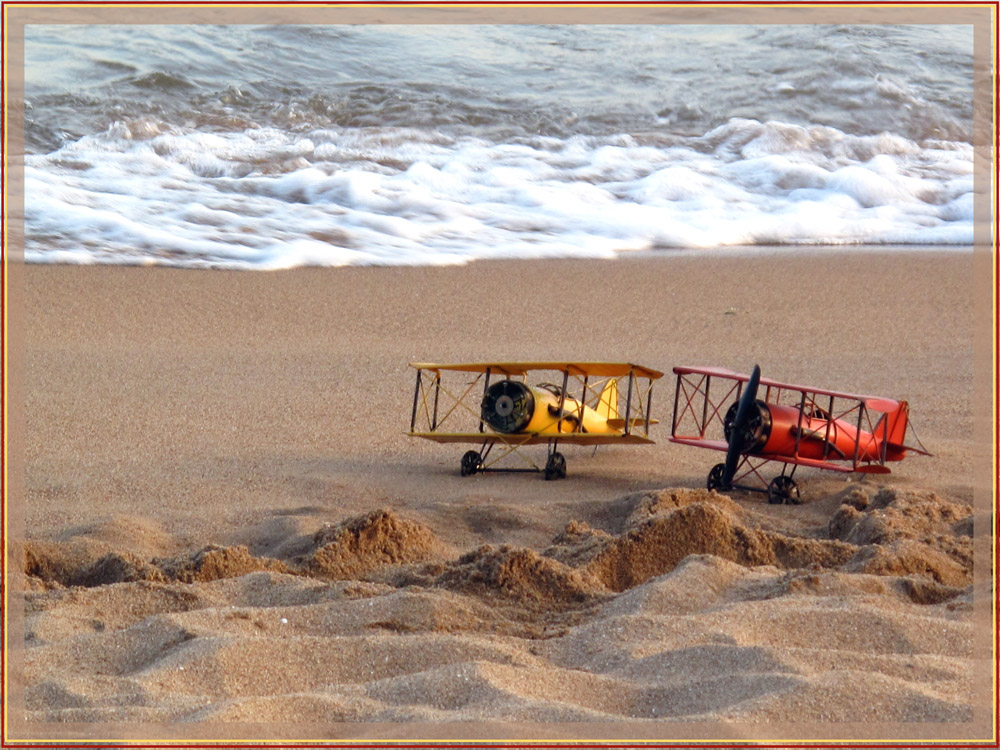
column 363, row 545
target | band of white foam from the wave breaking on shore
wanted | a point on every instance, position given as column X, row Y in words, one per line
column 266, row 198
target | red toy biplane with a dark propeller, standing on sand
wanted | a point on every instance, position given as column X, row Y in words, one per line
column 791, row 424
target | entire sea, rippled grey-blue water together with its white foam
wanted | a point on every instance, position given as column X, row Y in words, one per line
column 265, row 147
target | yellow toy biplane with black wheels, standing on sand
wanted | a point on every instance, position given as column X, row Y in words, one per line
column 586, row 408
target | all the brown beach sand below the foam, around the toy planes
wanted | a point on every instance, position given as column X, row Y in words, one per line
column 225, row 524
